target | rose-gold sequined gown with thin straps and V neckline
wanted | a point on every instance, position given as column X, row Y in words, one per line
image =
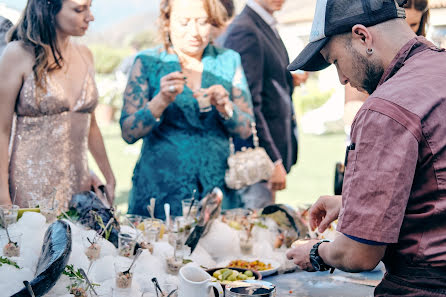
column 50, row 142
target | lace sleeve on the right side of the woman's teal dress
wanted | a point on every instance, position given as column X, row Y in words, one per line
column 240, row 122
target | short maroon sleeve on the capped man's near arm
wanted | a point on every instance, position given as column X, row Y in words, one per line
column 378, row 178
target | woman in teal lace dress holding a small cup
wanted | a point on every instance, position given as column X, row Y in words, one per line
column 184, row 147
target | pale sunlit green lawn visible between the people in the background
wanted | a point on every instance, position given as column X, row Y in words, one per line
column 310, row 178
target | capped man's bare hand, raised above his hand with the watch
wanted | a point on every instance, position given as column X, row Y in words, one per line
column 324, row 211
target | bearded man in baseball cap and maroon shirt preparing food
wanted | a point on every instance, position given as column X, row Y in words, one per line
column 393, row 206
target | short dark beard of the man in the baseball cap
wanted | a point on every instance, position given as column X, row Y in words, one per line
column 372, row 73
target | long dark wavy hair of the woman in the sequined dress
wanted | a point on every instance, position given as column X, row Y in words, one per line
column 37, row 30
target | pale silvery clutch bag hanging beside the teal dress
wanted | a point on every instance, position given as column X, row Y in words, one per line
column 249, row 166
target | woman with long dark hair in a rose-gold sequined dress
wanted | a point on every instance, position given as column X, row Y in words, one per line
column 48, row 82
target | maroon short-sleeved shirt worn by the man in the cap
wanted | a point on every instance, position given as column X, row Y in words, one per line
column 395, row 180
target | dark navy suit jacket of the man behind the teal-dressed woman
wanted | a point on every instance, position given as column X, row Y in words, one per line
column 265, row 61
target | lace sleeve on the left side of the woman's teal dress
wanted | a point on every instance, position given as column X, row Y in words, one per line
column 136, row 118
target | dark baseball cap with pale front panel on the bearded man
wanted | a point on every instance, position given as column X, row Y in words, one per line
column 333, row 17
